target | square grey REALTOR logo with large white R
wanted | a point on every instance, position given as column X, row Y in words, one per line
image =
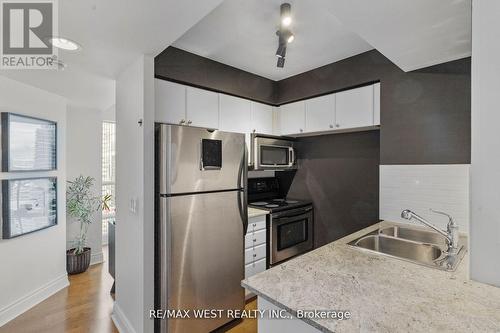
column 26, row 29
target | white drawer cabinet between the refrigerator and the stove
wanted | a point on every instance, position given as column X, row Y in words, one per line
column 255, row 248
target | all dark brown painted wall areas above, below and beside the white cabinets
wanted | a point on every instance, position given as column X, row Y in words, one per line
column 425, row 117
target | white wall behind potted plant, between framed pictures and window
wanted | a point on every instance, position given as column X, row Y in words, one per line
column 83, row 157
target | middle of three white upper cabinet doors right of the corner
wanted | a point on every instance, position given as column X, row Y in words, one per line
column 320, row 113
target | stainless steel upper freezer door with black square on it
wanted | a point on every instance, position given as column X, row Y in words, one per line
column 192, row 159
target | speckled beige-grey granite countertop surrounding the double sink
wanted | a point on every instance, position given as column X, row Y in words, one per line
column 383, row 294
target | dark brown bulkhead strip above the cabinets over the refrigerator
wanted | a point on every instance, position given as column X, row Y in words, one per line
column 180, row 66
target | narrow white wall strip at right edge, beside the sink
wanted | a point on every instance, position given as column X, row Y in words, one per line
column 485, row 170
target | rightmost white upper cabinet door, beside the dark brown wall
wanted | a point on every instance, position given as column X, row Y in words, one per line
column 354, row 108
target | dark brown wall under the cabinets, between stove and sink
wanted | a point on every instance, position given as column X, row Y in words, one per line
column 340, row 174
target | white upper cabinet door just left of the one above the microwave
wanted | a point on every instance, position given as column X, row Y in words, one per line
column 235, row 114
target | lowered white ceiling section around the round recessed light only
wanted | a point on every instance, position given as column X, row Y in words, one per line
column 115, row 32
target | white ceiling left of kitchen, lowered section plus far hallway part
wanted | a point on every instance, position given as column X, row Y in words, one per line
column 113, row 34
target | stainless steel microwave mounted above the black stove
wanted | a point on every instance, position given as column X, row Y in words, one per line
column 272, row 152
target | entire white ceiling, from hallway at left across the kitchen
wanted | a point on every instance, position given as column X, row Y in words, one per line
column 241, row 33
